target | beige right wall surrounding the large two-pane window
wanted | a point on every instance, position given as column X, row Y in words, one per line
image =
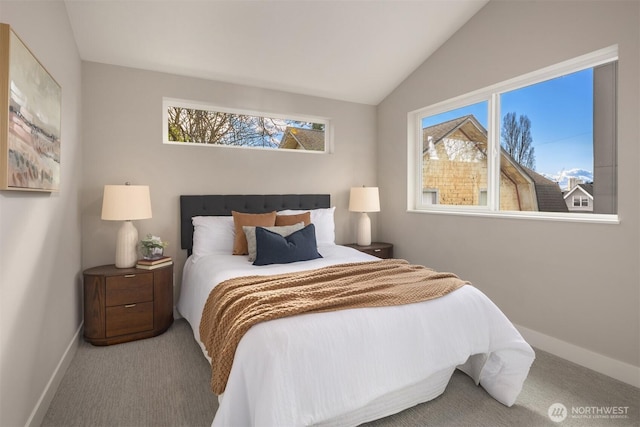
column 521, row 264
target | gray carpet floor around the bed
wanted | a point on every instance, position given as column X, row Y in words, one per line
column 164, row 381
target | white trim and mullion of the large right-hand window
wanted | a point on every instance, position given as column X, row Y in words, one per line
column 491, row 95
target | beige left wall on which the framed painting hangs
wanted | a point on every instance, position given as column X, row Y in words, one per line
column 40, row 271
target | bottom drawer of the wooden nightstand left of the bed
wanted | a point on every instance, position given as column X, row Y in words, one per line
column 128, row 319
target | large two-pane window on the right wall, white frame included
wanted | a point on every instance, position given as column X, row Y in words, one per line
column 522, row 147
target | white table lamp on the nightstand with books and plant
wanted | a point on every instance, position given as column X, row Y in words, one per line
column 126, row 203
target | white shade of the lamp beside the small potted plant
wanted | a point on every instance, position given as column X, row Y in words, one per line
column 126, row 202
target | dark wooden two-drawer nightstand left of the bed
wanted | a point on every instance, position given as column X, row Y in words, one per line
column 126, row 304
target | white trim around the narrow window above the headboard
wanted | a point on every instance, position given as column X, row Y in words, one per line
column 197, row 105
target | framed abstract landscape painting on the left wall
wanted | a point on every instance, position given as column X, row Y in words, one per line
column 30, row 119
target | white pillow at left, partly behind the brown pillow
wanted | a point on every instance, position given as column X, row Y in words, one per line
column 212, row 234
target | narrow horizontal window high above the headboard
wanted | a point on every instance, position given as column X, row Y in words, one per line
column 190, row 123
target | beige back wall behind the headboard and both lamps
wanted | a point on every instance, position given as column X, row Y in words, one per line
column 123, row 133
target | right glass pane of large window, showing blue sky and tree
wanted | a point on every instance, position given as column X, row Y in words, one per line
column 547, row 140
